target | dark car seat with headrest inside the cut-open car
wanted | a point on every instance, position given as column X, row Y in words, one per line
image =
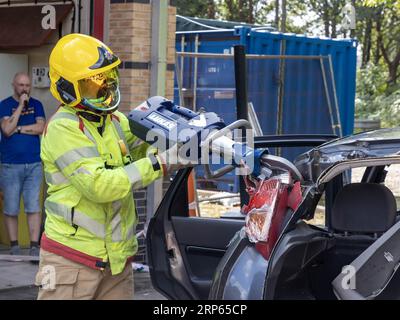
column 309, row 258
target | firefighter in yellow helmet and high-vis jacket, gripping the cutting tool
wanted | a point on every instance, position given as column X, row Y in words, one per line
column 92, row 162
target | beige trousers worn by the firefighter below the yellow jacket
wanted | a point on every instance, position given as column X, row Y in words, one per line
column 62, row 279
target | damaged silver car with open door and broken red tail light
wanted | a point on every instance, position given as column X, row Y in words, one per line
column 353, row 255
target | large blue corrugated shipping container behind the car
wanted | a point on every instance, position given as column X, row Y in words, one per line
column 312, row 88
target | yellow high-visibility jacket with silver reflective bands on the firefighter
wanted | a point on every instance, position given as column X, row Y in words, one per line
column 91, row 215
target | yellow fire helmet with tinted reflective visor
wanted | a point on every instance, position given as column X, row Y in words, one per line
column 84, row 71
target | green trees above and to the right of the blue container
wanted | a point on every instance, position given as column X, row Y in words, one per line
column 377, row 30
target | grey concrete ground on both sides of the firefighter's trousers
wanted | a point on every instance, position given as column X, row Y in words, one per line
column 17, row 282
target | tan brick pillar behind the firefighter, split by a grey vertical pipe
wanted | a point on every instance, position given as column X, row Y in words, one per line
column 130, row 39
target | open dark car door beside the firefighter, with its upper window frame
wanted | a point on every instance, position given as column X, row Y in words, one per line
column 184, row 251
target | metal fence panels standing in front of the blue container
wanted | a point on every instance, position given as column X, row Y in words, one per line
column 290, row 94
